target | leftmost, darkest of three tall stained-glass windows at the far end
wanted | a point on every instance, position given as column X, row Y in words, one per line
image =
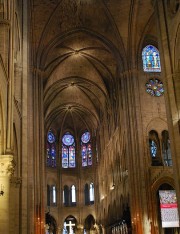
column 51, row 150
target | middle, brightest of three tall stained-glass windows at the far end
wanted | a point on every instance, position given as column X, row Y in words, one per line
column 68, row 151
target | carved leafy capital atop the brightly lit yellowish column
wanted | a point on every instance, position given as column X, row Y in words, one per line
column 7, row 165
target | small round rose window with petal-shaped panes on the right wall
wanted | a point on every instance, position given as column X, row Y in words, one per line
column 155, row 87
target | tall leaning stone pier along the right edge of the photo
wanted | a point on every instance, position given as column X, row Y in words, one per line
column 169, row 52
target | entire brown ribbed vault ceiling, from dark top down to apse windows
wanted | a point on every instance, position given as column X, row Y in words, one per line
column 76, row 51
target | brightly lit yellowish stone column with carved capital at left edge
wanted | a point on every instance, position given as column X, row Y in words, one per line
column 6, row 169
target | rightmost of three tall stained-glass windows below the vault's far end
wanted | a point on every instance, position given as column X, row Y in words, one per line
column 86, row 149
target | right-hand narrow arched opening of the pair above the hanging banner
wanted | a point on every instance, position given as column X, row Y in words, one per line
column 166, row 150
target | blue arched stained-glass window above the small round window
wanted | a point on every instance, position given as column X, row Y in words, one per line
column 151, row 59
